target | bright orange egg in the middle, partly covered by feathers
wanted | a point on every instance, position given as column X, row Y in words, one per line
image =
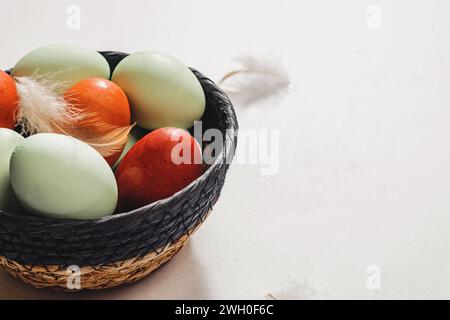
column 106, row 103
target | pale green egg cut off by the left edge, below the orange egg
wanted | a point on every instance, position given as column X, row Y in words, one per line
column 9, row 139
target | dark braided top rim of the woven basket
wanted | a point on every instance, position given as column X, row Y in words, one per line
column 229, row 146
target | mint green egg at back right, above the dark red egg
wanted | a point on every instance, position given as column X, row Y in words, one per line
column 162, row 91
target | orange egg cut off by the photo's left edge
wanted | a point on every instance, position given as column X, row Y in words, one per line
column 8, row 101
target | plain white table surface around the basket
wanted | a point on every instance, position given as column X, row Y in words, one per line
column 364, row 175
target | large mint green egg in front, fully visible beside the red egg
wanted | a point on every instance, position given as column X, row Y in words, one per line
column 61, row 177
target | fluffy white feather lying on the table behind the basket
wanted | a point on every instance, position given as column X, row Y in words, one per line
column 255, row 79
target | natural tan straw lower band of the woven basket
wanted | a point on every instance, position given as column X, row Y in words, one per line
column 98, row 277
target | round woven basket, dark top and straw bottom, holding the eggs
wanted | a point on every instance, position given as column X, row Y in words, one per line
column 125, row 247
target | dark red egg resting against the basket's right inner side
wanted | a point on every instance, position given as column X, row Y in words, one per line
column 160, row 164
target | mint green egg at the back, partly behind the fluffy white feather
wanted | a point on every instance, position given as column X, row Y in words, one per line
column 64, row 63
